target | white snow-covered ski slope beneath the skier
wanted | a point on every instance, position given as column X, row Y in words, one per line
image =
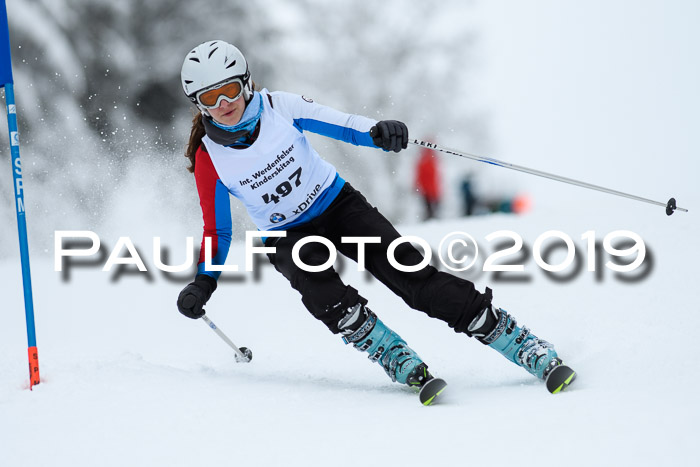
column 127, row 380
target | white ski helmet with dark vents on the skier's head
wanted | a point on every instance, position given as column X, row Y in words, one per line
column 211, row 63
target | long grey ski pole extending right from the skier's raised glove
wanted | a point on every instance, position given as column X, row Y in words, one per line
column 670, row 205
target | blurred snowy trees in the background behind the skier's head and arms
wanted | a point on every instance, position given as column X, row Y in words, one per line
column 98, row 84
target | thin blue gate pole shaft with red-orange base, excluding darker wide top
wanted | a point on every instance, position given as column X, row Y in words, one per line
column 22, row 230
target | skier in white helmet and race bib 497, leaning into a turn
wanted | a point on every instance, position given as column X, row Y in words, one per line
column 251, row 144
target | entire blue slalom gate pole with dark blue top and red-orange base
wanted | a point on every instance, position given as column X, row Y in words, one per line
column 6, row 81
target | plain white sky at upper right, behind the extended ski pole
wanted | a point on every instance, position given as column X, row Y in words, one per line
column 603, row 91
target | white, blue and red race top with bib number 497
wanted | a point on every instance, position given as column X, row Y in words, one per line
column 280, row 178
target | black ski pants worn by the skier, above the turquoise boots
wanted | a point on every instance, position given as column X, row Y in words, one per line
column 438, row 294
